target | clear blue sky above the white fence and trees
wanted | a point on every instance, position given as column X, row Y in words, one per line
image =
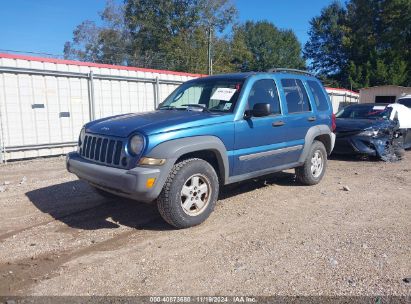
column 43, row 26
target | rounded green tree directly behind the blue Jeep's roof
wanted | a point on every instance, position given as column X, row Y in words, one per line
column 261, row 46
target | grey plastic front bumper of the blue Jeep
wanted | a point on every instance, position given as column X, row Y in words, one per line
column 126, row 183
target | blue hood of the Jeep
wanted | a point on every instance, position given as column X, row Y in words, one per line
column 151, row 122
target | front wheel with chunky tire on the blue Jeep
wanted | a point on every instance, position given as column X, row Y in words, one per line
column 189, row 194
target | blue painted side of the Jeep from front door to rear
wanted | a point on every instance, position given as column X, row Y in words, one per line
column 258, row 135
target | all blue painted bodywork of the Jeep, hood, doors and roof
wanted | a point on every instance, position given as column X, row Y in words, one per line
column 240, row 136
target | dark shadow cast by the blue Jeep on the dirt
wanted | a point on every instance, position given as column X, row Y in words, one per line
column 77, row 205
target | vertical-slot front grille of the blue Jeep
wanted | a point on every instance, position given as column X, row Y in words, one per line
column 102, row 149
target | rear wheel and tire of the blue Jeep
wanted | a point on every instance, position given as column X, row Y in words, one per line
column 313, row 169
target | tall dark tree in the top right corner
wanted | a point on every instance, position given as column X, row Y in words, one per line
column 380, row 37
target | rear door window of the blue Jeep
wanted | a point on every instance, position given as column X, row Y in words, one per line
column 295, row 96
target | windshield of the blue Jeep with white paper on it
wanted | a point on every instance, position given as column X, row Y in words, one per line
column 210, row 95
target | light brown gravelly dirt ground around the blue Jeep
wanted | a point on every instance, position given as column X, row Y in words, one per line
column 269, row 236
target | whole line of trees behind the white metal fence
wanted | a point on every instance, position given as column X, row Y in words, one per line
column 357, row 44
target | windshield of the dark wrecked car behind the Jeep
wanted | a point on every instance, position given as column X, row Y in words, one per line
column 365, row 112
